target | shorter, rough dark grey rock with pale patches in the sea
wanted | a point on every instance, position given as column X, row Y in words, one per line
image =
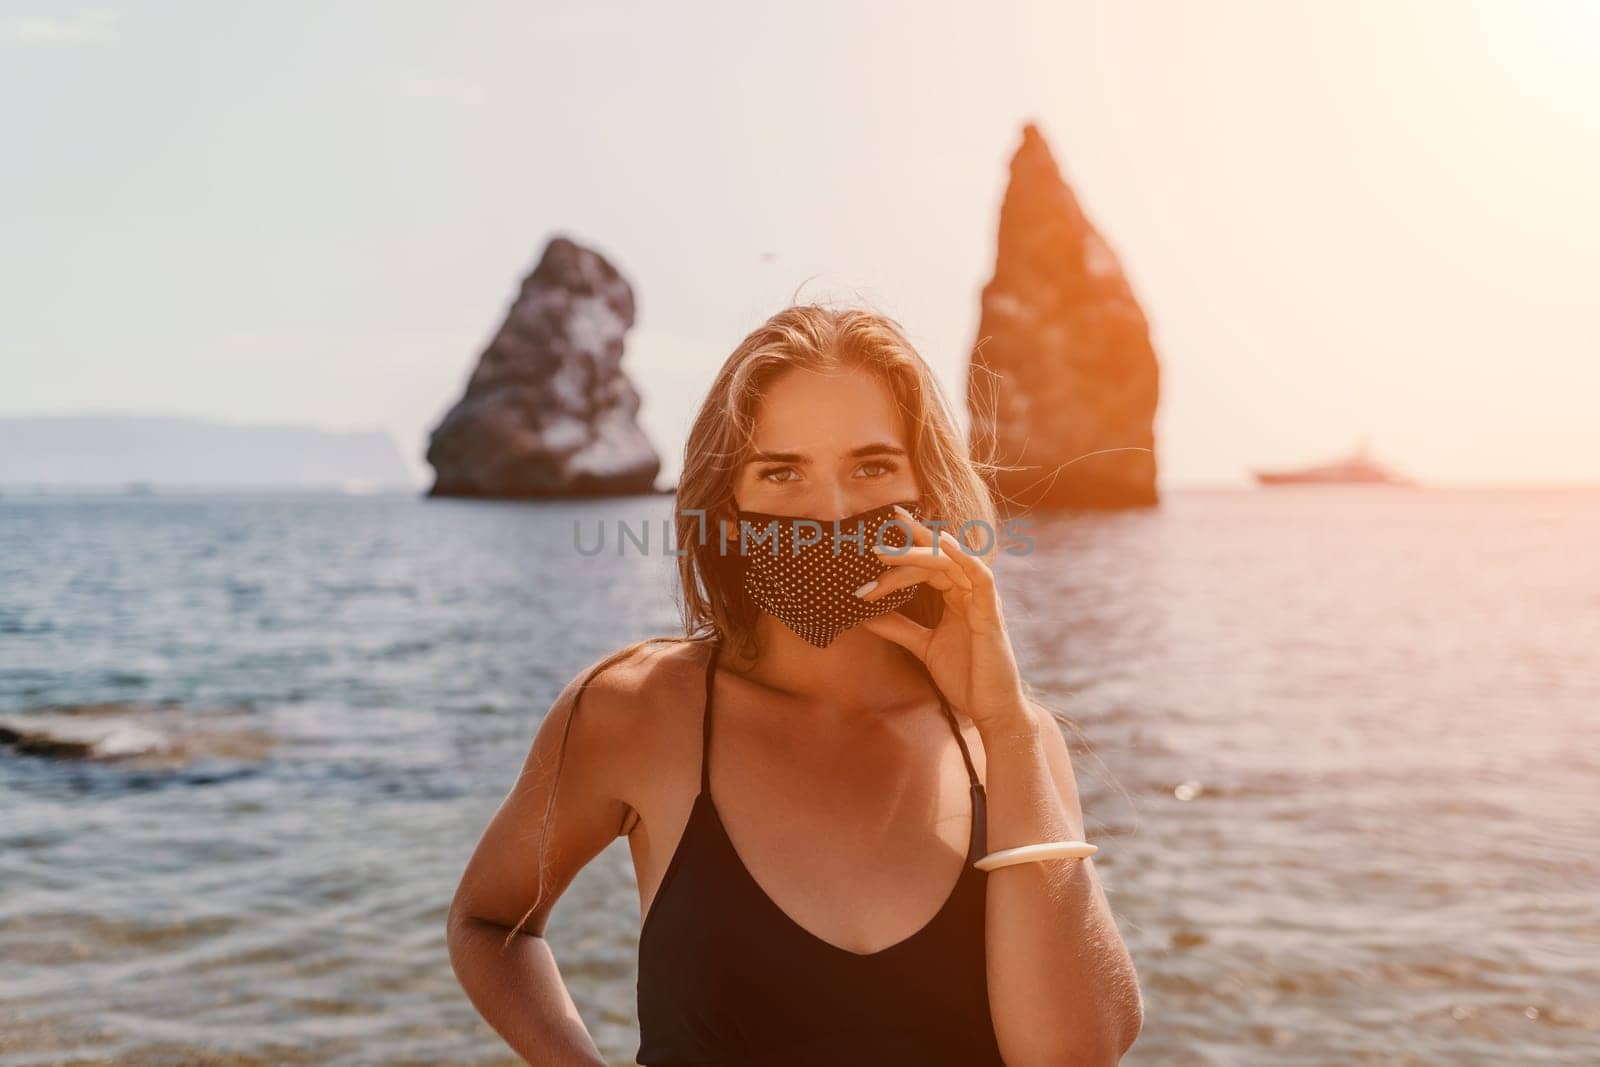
column 550, row 412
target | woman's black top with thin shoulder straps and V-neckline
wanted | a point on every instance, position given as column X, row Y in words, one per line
column 727, row 978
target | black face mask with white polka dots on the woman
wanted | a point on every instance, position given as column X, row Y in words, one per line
column 793, row 570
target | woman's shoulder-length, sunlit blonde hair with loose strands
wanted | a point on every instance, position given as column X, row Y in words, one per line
column 815, row 338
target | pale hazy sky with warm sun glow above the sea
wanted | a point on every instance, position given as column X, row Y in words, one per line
column 1343, row 220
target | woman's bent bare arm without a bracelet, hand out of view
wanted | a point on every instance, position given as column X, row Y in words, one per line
column 519, row 988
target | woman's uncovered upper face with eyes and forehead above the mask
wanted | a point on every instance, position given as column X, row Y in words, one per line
column 826, row 447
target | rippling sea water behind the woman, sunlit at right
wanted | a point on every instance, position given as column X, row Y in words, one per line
column 1340, row 748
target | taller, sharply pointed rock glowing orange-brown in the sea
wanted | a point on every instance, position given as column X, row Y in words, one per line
column 1063, row 366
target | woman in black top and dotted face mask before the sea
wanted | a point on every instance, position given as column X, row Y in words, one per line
column 807, row 778
